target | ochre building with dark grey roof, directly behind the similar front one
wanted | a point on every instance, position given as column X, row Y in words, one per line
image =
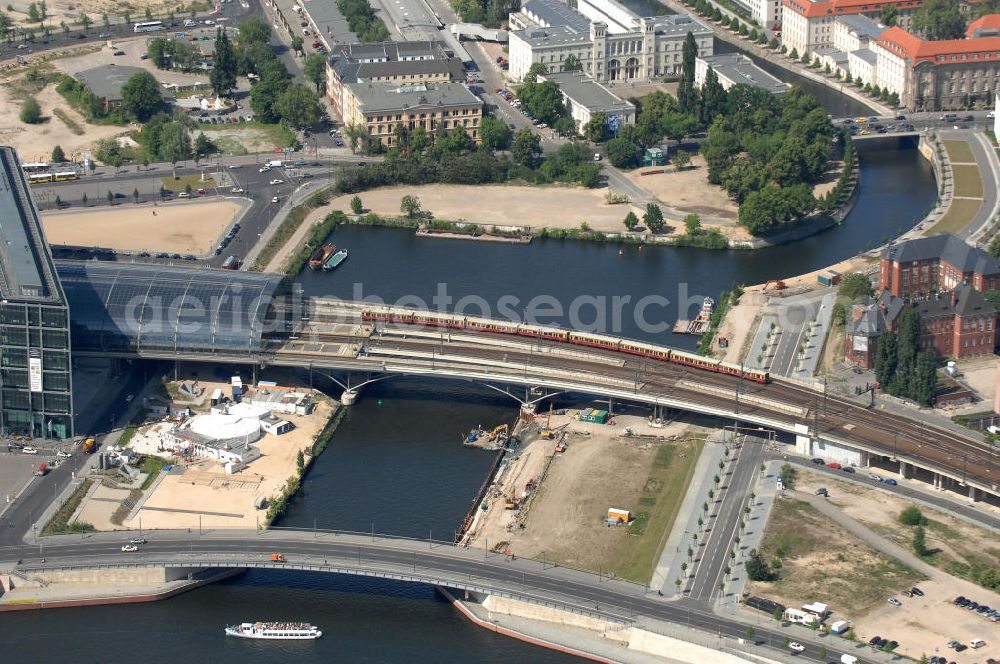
column 404, row 63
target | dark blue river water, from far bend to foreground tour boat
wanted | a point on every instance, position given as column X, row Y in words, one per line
column 396, row 463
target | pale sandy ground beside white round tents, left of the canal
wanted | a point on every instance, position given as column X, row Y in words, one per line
column 214, row 499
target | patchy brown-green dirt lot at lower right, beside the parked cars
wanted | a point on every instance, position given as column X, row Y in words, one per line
column 822, row 562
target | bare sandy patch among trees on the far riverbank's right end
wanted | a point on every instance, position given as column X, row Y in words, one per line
column 689, row 191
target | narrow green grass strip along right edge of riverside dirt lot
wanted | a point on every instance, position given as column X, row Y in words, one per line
column 662, row 495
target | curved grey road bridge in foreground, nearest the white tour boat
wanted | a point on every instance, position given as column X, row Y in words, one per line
column 400, row 559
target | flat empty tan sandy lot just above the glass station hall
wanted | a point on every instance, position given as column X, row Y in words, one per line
column 184, row 227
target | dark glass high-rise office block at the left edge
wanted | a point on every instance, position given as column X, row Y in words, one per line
column 35, row 361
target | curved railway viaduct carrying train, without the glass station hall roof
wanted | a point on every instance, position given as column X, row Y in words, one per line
column 330, row 337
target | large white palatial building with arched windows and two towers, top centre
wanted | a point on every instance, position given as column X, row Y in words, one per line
column 621, row 46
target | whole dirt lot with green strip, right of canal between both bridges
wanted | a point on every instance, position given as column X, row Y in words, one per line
column 564, row 519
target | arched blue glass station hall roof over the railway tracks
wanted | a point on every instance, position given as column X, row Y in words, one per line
column 156, row 310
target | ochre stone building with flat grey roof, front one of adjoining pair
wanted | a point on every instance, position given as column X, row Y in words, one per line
column 382, row 106
